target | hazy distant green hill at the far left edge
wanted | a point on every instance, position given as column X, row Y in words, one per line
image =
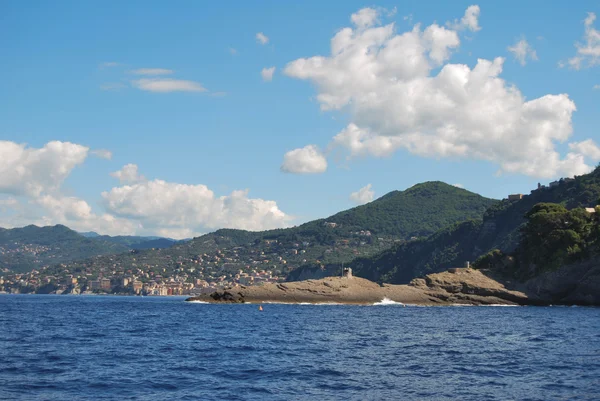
column 27, row 248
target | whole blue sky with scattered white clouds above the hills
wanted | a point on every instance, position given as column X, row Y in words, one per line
column 180, row 118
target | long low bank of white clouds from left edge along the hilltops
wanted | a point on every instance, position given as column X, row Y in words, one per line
column 31, row 192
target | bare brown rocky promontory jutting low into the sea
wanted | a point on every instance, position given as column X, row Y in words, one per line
column 455, row 286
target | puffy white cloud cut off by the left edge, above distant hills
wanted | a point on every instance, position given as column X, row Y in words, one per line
column 31, row 171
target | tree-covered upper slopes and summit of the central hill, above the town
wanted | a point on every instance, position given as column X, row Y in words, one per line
column 401, row 215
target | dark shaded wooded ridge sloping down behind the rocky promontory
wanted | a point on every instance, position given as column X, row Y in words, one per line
column 499, row 229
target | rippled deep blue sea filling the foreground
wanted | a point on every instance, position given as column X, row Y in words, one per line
column 55, row 347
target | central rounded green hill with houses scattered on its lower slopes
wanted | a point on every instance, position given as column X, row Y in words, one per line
column 360, row 231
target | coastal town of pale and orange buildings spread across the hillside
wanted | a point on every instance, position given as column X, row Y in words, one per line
column 160, row 272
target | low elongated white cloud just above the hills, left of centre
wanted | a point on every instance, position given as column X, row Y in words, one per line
column 160, row 205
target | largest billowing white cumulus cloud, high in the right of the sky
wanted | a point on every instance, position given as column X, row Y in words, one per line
column 385, row 81
